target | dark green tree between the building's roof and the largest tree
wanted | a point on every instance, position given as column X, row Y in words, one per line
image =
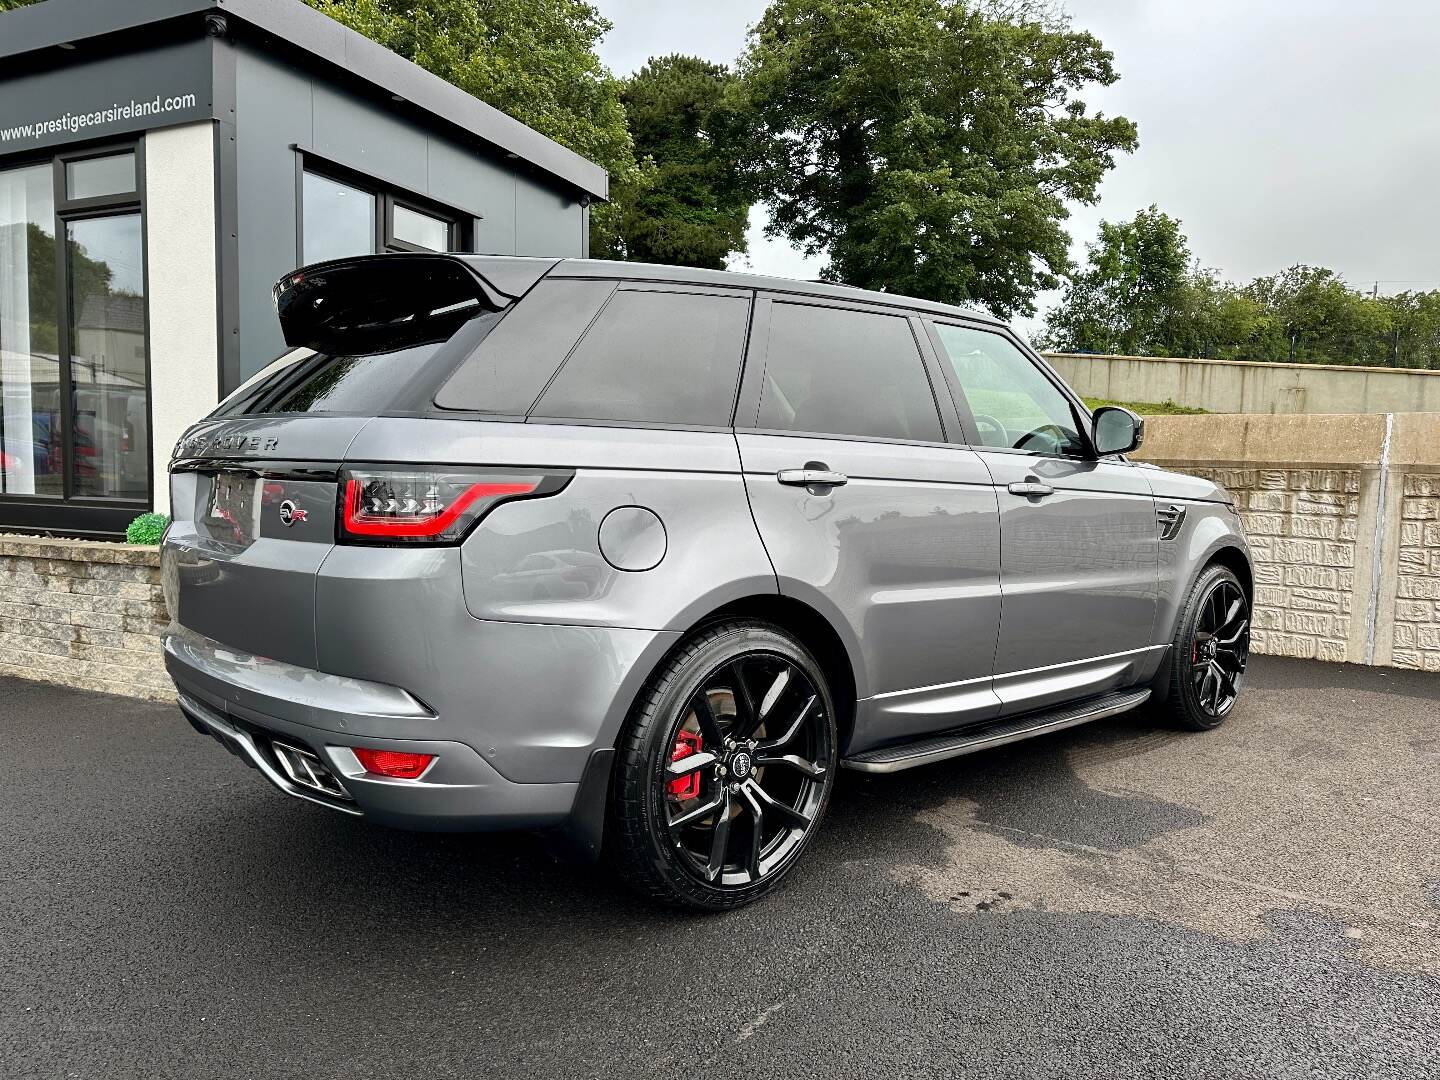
column 693, row 211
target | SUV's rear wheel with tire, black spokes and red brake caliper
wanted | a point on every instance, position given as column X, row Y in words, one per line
column 752, row 711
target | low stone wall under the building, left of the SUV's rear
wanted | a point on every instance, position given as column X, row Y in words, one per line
column 83, row 614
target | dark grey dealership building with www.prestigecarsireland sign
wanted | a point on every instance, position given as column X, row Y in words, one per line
column 162, row 165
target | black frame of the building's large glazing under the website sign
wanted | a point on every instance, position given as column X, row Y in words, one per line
column 68, row 512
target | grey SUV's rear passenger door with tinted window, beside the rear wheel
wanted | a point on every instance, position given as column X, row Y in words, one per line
column 869, row 513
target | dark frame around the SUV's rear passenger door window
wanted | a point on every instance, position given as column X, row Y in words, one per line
column 748, row 407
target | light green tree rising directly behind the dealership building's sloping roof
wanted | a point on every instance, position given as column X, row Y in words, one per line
column 534, row 60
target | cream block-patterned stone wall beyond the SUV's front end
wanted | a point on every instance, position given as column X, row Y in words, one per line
column 1344, row 523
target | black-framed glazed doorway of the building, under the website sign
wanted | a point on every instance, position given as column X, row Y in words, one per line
column 74, row 351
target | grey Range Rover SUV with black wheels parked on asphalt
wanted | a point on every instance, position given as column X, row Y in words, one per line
column 644, row 557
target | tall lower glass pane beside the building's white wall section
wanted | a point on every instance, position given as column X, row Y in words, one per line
column 109, row 375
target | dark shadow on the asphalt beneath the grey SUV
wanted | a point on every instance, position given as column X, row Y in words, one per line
column 515, row 885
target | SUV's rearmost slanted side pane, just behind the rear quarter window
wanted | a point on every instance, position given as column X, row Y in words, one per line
column 521, row 355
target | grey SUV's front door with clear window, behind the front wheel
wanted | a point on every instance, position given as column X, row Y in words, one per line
column 1079, row 542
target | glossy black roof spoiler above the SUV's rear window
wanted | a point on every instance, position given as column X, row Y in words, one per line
column 378, row 303
